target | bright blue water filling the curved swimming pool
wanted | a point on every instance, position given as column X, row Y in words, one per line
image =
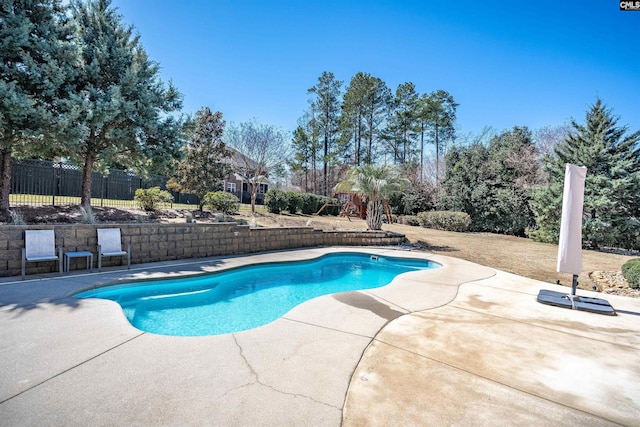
column 247, row 297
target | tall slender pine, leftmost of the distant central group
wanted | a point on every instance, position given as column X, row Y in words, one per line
column 327, row 107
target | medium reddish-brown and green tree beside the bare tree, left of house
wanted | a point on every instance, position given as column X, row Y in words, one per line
column 205, row 162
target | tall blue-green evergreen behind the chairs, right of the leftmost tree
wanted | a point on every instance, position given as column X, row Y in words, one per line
column 120, row 103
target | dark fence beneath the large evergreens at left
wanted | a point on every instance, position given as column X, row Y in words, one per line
column 41, row 182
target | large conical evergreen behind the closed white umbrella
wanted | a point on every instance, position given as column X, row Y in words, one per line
column 611, row 214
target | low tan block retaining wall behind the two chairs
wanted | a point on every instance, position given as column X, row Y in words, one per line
column 162, row 242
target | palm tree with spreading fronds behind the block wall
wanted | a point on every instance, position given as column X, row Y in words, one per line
column 375, row 184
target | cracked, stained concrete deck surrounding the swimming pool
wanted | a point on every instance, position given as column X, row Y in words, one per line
column 463, row 344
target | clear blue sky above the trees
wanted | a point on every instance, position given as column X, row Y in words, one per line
column 532, row 63
